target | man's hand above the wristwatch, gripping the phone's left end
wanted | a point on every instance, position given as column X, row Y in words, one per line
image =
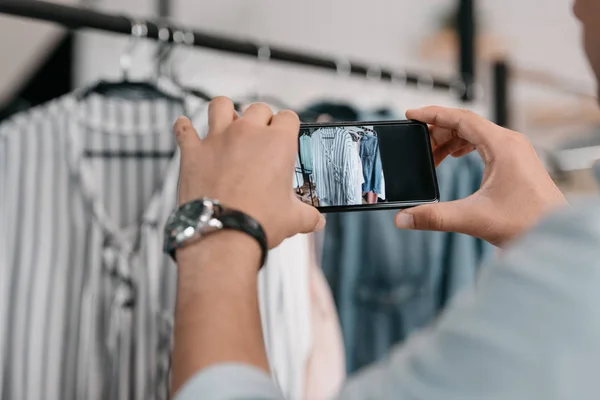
column 247, row 163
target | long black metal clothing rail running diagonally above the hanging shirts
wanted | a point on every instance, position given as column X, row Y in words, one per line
column 79, row 18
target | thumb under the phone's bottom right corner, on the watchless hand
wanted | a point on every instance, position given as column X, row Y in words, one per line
column 445, row 217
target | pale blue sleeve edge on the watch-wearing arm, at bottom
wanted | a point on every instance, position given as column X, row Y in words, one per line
column 230, row 381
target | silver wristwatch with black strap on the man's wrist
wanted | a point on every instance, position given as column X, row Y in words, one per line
column 194, row 220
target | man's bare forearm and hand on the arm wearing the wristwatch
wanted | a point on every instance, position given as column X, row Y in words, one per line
column 246, row 163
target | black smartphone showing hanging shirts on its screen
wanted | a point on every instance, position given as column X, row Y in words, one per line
column 357, row 166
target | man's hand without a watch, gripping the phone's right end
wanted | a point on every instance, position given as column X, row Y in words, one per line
column 516, row 191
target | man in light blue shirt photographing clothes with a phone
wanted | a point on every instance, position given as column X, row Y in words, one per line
column 531, row 329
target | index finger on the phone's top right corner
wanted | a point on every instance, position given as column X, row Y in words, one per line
column 467, row 124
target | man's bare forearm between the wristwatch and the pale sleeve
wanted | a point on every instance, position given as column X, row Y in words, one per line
column 217, row 315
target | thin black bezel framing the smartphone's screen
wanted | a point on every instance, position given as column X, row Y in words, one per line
column 379, row 206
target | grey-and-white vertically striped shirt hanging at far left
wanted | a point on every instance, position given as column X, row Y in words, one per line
column 86, row 295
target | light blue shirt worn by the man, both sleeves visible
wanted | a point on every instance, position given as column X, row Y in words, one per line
column 529, row 330
